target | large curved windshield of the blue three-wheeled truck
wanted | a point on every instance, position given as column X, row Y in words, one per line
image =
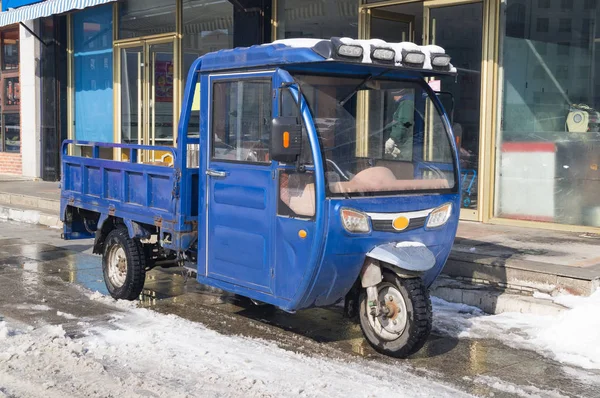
column 379, row 137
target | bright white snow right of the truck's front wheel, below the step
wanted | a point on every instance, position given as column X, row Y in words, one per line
column 572, row 337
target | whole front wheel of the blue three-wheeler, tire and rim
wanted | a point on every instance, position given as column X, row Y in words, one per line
column 404, row 322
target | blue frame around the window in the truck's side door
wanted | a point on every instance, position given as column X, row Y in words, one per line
column 235, row 79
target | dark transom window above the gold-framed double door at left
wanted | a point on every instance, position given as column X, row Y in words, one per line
column 139, row 18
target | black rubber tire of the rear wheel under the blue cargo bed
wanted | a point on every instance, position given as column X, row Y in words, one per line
column 135, row 267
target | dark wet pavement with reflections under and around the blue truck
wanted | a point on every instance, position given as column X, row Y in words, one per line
column 39, row 271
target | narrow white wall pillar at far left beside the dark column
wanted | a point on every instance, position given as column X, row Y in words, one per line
column 30, row 102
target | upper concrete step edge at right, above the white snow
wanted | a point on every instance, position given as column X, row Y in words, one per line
column 522, row 275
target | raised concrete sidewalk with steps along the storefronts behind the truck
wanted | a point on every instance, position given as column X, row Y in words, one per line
column 489, row 264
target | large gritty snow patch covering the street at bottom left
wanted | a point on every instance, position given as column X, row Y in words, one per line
column 141, row 353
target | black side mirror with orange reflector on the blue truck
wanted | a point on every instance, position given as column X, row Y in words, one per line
column 286, row 139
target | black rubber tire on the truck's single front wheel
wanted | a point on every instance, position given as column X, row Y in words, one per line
column 418, row 324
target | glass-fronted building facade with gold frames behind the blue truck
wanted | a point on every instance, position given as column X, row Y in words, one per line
column 524, row 104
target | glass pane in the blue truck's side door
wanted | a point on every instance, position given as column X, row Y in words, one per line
column 241, row 125
